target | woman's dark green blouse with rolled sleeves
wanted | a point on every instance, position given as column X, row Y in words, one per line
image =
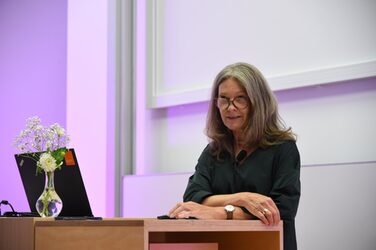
column 274, row 172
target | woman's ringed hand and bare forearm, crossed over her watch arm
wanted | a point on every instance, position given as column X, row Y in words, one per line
column 261, row 206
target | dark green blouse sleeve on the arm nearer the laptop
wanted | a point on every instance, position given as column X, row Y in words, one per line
column 199, row 187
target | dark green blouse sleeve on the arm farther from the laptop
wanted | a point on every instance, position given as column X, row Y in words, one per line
column 286, row 181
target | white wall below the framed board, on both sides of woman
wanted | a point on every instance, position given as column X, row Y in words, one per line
column 337, row 198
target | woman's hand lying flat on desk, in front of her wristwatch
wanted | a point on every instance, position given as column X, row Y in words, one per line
column 192, row 209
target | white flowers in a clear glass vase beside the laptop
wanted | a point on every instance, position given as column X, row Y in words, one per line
column 47, row 146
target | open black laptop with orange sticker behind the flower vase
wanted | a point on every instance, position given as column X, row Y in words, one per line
column 68, row 185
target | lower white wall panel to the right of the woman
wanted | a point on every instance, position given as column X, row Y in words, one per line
column 336, row 207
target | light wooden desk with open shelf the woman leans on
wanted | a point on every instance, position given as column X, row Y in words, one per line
column 138, row 234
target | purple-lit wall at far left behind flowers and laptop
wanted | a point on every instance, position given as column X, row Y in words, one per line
column 32, row 79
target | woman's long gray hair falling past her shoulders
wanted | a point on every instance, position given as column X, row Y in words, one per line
column 264, row 127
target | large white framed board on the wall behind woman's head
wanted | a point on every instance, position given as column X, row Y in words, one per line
column 313, row 42
